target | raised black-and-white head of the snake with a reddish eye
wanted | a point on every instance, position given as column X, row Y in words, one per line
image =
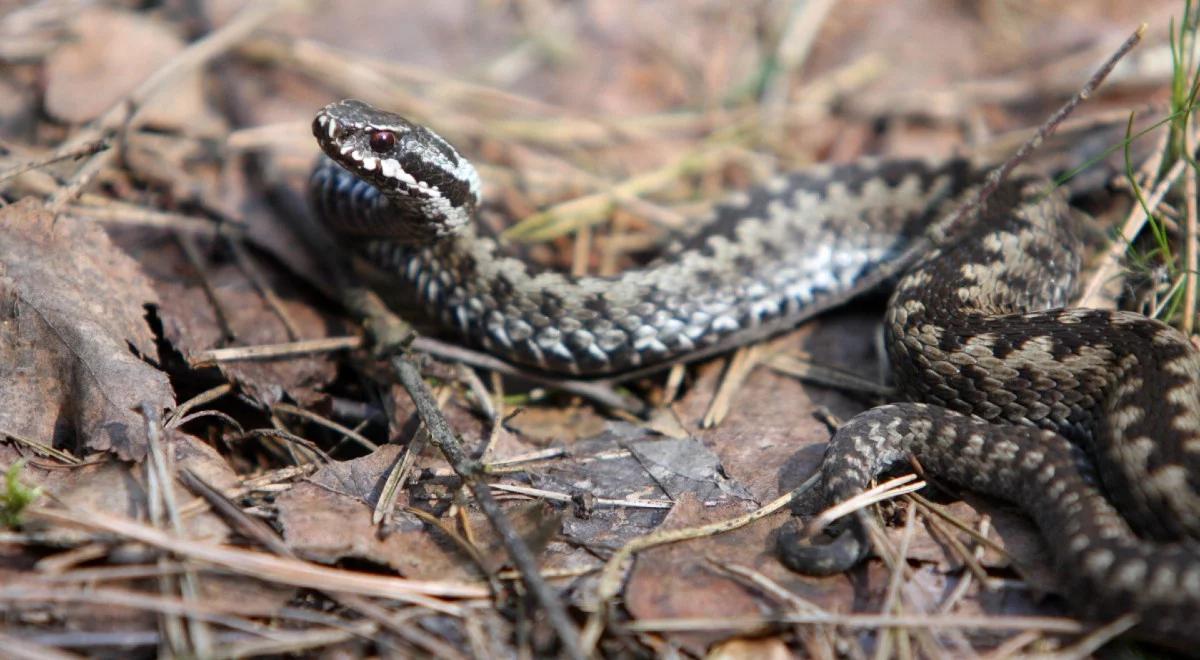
column 410, row 164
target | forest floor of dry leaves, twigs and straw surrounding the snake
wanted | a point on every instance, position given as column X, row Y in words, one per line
column 609, row 136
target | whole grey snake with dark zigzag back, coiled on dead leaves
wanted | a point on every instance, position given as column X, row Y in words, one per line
column 1089, row 421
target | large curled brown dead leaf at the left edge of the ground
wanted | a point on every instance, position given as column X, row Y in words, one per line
column 74, row 337
